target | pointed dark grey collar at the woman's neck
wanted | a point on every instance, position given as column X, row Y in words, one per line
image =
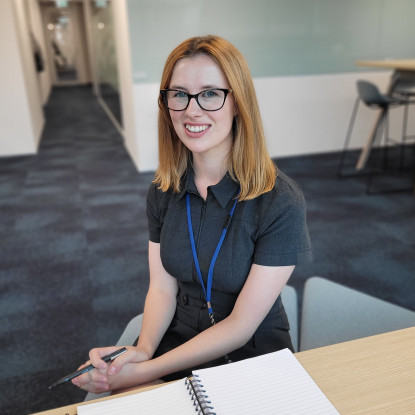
column 223, row 191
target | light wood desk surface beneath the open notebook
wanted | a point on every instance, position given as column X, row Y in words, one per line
column 373, row 375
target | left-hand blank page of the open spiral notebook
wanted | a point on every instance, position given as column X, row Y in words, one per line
column 169, row 399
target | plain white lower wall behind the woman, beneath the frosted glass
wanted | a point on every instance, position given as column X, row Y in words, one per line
column 301, row 114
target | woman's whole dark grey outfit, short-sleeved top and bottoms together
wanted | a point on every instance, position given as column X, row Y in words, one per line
column 269, row 230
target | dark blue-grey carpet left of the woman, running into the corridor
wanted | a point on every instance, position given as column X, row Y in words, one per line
column 73, row 233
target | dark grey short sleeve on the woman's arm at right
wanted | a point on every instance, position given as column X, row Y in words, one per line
column 283, row 236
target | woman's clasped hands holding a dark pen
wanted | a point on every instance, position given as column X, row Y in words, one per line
column 104, row 377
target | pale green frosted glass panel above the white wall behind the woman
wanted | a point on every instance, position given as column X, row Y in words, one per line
column 277, row 37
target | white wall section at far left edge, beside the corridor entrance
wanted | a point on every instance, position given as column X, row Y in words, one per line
column 21, row 116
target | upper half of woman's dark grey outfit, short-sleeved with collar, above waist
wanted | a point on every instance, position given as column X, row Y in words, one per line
column 269, row 230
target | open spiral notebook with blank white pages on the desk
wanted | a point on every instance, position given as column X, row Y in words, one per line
column 270, row 384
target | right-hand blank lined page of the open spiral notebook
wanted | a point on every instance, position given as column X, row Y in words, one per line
column 272, row 384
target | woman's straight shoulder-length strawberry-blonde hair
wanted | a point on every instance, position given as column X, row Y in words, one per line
column 249, row 161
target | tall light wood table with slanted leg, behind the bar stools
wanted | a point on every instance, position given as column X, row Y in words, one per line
column 402, row 69
